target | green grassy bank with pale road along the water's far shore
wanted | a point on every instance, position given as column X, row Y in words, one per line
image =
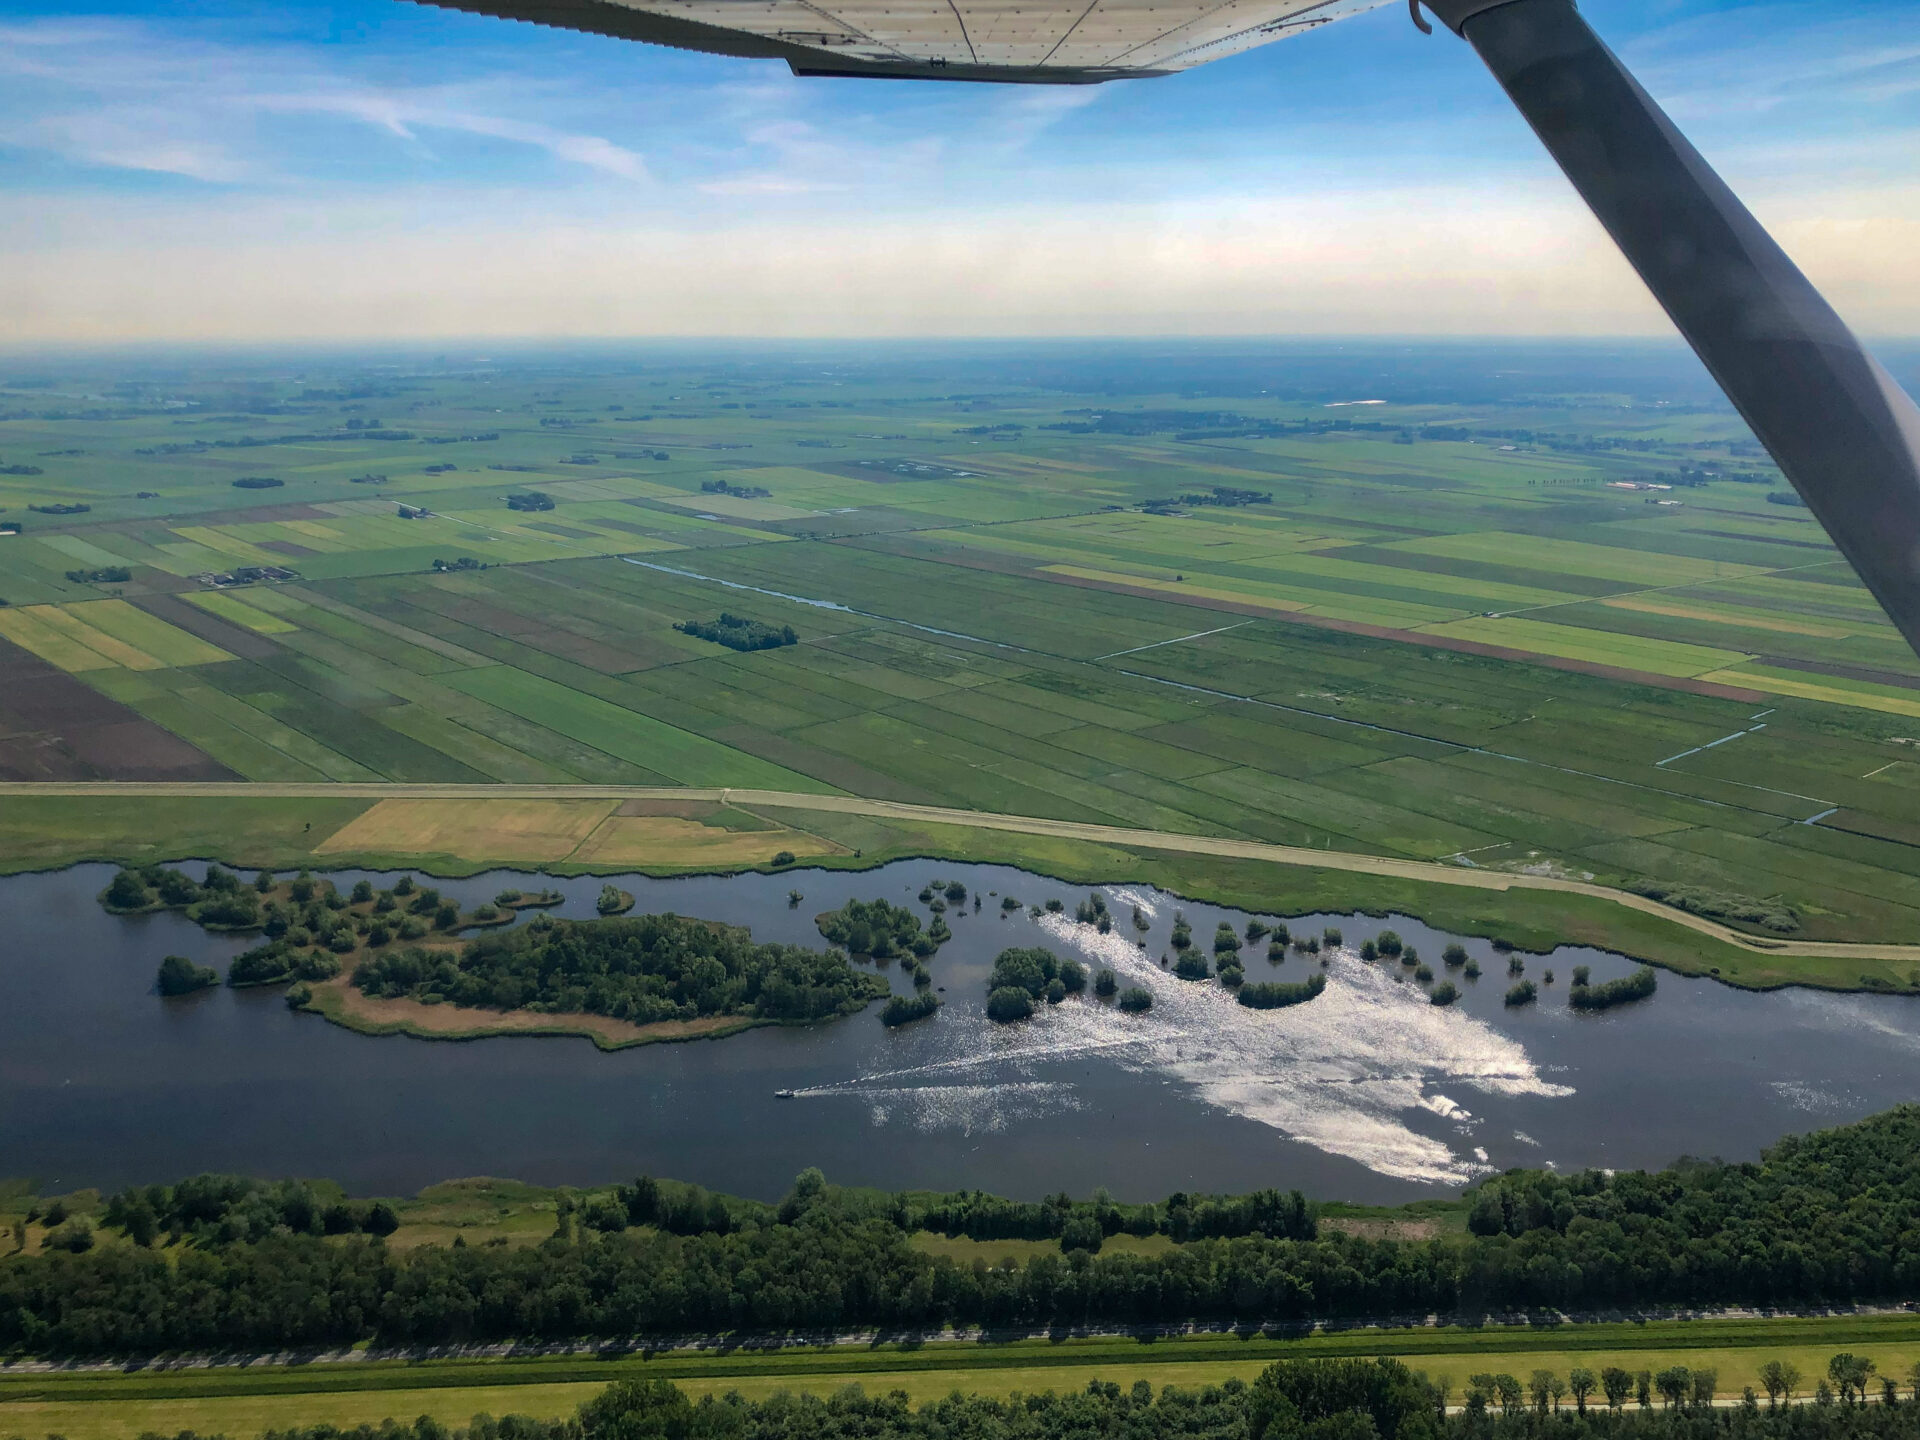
column 1533, row 913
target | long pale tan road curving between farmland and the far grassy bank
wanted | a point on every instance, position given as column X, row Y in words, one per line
column 1136, row 840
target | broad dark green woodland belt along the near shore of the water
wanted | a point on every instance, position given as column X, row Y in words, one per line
column 1819, row 1220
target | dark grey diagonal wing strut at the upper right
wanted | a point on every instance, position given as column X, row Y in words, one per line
column 1835, row 421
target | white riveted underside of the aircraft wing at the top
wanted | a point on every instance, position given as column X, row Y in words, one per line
column 1034, row 41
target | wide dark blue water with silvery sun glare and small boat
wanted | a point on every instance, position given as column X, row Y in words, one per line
column 1368, row 1093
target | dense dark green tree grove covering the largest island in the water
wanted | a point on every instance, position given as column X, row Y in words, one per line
column 642, row 969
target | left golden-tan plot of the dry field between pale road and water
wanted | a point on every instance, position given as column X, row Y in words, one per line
column 527, row 832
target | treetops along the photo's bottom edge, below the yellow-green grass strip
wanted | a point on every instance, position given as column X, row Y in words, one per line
column 1289, row 1401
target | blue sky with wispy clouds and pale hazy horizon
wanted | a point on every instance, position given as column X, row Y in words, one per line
column 377, row 170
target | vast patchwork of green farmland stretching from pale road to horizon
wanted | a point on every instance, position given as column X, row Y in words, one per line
column 1452, row 633
